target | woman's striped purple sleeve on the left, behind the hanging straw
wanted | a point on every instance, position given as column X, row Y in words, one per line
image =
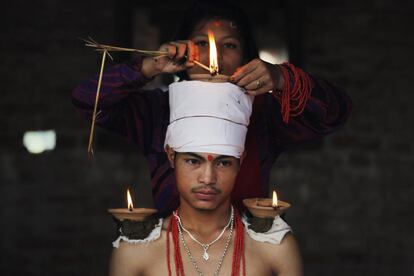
column 123, row 106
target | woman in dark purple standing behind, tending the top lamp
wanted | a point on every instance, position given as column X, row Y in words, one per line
column 301, row 107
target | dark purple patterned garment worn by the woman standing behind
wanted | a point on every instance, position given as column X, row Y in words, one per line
column 142, row 116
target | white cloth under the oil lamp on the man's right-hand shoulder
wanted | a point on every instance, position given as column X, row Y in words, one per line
column 274, row 235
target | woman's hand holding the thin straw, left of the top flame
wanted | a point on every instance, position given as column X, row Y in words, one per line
column 179, row 57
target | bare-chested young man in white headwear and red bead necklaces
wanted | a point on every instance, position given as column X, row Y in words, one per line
column 206, row 235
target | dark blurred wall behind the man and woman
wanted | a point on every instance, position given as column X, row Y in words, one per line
column 352, row 194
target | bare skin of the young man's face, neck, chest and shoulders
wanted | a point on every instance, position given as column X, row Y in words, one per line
column 205, row 182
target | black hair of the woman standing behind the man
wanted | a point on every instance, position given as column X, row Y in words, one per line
column 204, row 9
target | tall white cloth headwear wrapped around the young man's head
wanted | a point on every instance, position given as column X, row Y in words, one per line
column 208, row 117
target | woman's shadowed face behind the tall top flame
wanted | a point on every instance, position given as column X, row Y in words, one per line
column 228, row 43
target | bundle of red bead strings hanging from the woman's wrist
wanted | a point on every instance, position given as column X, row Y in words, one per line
column 294, row 99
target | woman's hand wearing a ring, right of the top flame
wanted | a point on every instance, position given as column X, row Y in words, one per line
column 258, row 77
